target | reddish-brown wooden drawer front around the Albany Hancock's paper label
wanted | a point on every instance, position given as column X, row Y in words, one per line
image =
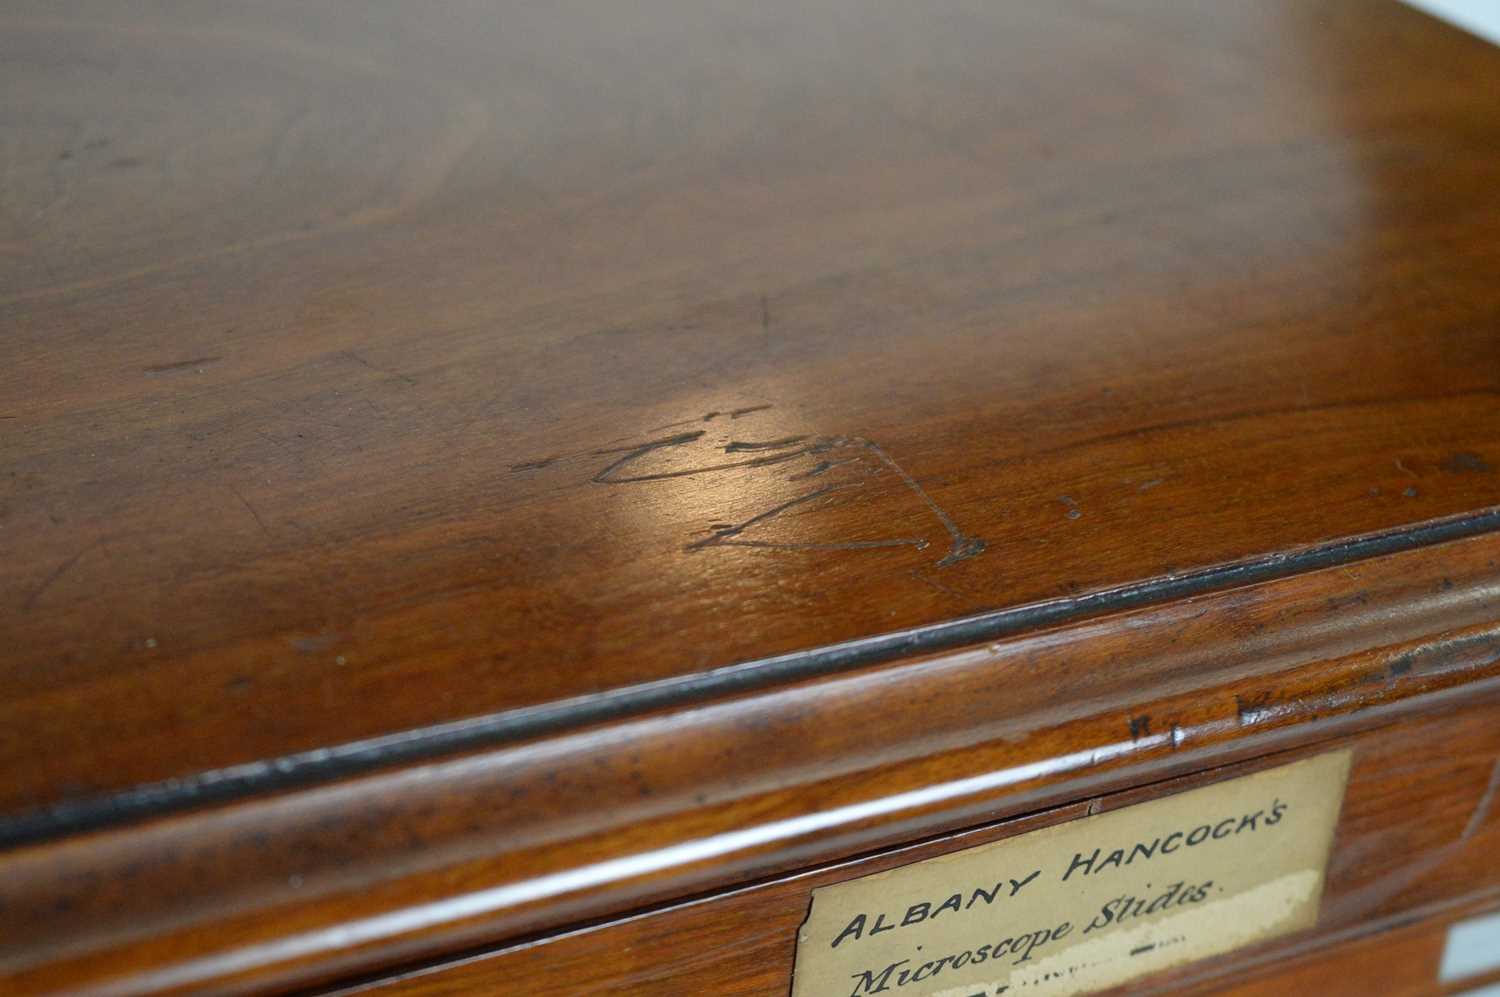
column 1417, row 842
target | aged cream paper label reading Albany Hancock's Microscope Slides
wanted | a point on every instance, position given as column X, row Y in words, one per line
column 1087, row 905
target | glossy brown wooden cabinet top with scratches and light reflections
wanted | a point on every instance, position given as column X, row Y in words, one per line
column 464, row 370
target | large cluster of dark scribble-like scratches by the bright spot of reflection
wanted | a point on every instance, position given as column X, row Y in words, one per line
column 769, row 454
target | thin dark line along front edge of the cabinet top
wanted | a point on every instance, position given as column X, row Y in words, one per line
column 424, row 744
